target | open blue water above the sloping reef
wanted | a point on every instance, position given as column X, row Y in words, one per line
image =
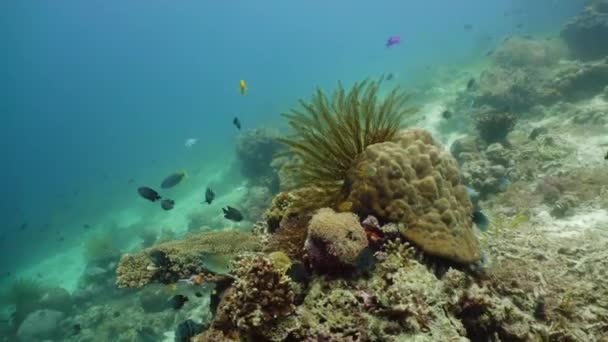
column 95, row 93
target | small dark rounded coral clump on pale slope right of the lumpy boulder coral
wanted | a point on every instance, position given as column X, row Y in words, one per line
column 493, row 125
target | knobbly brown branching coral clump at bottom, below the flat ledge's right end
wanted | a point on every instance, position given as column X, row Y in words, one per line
column 259, row 302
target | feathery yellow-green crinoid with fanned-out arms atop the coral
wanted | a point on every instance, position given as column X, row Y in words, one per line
column 331, row 132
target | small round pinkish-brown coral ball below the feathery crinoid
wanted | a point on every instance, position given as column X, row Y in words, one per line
column 334, row 239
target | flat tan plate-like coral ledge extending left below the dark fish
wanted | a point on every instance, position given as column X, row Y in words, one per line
column 169, row 261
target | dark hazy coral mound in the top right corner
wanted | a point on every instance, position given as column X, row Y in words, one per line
column 587, row 34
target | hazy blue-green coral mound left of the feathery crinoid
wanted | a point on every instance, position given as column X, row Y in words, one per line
column 255, row 150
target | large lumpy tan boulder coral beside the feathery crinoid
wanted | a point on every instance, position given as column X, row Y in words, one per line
column 414, row 181
